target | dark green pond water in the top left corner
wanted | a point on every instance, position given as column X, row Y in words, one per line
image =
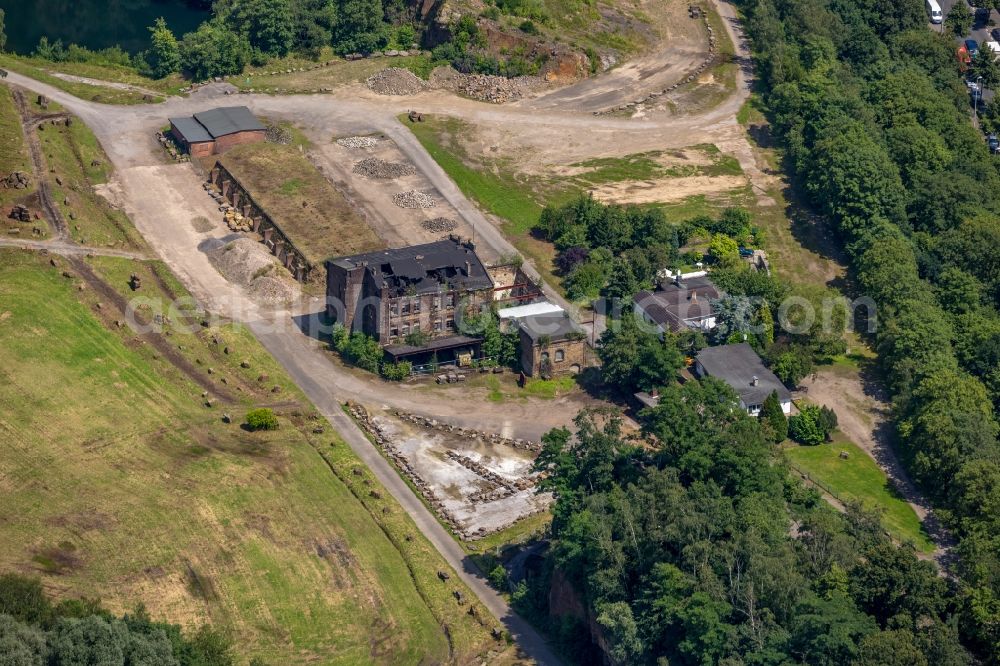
column 96, row 24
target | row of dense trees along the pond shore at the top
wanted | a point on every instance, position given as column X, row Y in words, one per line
column 241, row 33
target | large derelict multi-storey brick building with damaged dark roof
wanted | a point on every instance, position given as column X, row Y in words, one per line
column 411, row 299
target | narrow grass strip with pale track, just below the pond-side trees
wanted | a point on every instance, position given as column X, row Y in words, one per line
column 122, row 85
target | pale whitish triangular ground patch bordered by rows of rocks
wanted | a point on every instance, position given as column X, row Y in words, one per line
column 452, row 483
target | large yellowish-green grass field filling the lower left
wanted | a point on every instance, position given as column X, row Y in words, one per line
column 120, row 483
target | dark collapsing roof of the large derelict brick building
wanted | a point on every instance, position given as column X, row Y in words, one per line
column 422, row 268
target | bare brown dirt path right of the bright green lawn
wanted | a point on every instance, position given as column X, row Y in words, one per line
column 863, row 416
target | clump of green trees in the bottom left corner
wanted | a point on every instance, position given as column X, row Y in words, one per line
column 35, row 631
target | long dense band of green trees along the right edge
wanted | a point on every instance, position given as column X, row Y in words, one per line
column 875, row 123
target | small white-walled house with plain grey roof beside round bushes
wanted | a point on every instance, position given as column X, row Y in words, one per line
column 741, row 368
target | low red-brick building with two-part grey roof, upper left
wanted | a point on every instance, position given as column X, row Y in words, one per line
column 217, row 130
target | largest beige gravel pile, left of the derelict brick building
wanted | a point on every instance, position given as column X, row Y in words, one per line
column 247, row 263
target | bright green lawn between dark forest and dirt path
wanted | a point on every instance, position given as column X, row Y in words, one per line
column 858, row 478
